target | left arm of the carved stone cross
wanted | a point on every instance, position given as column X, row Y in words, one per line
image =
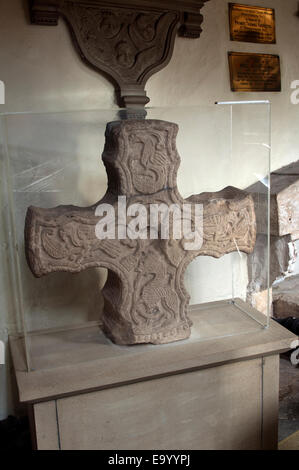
column 64, row 239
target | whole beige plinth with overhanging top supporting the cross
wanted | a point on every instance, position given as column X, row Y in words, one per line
column 86, row 393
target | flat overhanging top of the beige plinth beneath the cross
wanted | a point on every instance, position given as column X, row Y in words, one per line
column 79, row 360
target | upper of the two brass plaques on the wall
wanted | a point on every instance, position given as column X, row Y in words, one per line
column 252, row 24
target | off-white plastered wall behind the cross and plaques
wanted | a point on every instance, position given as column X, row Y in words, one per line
column 42, row 72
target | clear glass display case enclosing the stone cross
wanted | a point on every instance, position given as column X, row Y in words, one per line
column 54, row 159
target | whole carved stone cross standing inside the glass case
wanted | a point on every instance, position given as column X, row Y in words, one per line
column 145, row 297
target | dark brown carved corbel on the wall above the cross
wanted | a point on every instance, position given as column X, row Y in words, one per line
column 126, row 41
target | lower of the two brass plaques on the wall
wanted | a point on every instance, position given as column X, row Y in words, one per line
column 254, row 72
